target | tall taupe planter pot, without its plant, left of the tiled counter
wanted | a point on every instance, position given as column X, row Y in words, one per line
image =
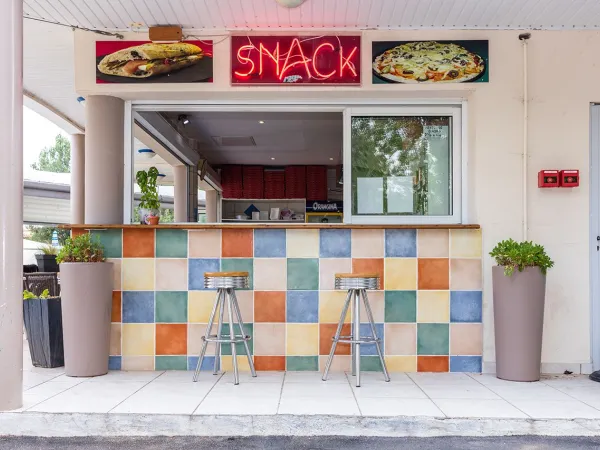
column 86, row 291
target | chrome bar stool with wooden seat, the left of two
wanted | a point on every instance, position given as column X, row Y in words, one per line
column 226, row 283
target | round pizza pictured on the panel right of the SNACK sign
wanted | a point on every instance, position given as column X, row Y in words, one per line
column 428, row 62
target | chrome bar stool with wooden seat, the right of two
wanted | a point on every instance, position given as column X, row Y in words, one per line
column 357, row 285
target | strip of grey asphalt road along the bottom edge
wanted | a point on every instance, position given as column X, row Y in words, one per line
column 300, row 443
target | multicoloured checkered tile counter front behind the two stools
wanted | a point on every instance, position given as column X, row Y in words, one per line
column 428, row 315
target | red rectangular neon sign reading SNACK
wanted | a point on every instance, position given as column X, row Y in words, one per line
column 295, row 60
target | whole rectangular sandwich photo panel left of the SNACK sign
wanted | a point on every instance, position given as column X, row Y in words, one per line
column 149, row 62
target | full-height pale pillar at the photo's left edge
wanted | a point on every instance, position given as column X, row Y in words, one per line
column 11, row 206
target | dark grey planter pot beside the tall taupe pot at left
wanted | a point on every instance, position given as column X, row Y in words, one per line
column 43, row 324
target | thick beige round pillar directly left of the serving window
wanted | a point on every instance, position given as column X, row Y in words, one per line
column 104, row 159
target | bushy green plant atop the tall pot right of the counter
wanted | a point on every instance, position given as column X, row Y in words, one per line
column 511, row 254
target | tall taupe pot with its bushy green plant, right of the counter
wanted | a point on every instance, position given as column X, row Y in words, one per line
column 519, row 282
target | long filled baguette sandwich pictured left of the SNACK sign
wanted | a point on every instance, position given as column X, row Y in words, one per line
column 147, row 60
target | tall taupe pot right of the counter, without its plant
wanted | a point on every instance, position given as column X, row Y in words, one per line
column 519, row 322
